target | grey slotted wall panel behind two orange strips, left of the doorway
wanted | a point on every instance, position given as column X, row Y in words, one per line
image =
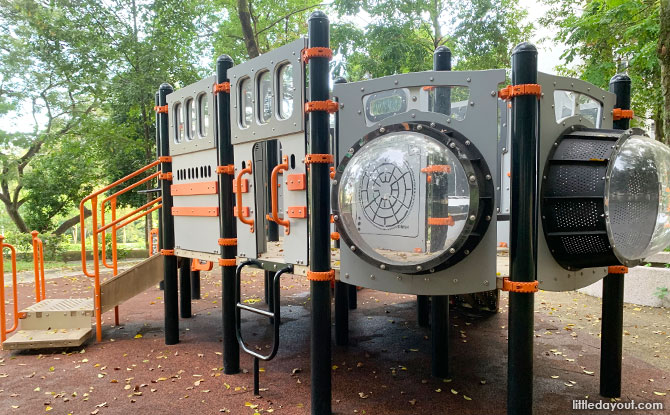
column 195, row 233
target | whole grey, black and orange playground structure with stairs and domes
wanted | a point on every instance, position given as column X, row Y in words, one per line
column 425, row 165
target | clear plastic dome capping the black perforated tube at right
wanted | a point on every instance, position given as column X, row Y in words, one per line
column 638, row 199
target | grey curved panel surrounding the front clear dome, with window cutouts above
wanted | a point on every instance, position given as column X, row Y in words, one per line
column 477, row 272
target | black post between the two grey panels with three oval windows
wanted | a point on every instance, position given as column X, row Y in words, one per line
column 231, row 349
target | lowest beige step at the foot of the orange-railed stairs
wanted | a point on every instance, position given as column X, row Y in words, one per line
column 42, row 339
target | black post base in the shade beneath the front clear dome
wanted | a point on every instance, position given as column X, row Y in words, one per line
column 439, row 310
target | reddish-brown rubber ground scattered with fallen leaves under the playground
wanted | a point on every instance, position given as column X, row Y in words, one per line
column 384, row 370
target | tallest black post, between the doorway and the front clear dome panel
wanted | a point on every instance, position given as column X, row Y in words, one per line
column 319, row 225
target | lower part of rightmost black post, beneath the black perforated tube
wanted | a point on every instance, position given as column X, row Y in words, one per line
column 611, row 339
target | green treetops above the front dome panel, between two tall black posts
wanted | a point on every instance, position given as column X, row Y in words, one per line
column 402, row 35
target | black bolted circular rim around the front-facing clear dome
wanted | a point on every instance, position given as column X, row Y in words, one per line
column 437, row 132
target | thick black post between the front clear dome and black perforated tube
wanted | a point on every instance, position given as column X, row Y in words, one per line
column 523, row 232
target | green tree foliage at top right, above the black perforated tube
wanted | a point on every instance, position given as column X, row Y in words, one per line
column 610, row 36
